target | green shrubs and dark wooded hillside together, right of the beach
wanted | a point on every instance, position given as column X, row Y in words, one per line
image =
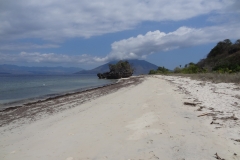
column 223, row 58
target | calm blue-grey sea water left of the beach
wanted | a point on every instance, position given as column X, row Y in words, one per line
column 19, row 89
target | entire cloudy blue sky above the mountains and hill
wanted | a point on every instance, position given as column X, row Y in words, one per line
column 86, row 34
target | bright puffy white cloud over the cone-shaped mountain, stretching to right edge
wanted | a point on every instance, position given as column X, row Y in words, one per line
column 157, row 41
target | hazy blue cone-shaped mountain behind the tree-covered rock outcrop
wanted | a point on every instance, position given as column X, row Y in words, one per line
column 139, row 66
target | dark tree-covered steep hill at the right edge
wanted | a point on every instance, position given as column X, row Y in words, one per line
column 224, row 57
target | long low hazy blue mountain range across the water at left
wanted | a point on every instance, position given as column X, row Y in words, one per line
column 13, row 69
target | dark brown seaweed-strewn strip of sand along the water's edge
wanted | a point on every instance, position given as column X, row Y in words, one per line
column 35, row 109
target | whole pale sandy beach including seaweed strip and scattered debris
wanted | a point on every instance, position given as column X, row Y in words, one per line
column 148, row 117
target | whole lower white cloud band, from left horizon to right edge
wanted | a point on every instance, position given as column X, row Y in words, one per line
column 140, row 46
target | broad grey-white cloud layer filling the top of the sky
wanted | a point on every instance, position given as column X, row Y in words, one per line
column 58, row 19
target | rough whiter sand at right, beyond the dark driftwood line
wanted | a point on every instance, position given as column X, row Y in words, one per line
column 222, row 99
